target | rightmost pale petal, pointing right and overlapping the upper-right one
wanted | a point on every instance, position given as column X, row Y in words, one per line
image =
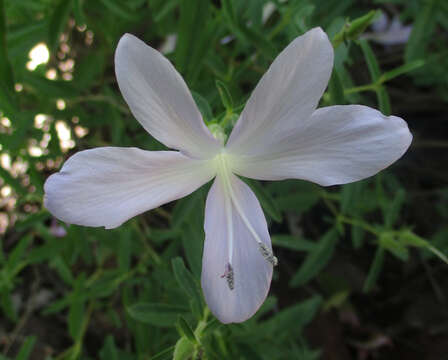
column 338, row 145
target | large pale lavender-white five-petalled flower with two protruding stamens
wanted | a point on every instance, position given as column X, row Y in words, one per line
column 279, row 135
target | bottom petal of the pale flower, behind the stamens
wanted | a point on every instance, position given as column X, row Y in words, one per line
column 251, row 272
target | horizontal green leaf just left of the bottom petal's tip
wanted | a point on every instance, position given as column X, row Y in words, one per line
column 162, row 315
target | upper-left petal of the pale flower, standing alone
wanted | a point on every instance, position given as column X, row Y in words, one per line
column 160, row 99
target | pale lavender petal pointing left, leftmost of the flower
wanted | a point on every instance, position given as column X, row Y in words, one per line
column 107, row 186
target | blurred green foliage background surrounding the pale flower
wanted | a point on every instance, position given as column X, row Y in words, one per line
column 363, row 268
